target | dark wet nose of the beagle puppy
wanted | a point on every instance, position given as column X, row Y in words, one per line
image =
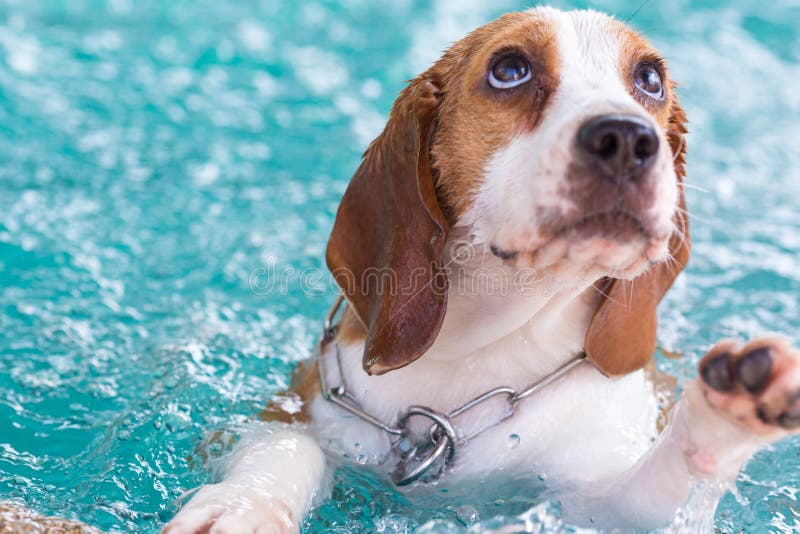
column 623, row 147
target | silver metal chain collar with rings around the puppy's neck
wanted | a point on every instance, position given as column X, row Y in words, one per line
column 427, row 458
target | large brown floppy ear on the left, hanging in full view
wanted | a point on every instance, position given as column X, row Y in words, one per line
column 385, row 251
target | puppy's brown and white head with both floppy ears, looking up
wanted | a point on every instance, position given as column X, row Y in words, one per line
column 555, row 139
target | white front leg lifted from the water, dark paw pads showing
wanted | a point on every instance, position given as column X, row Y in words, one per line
column 746, row 397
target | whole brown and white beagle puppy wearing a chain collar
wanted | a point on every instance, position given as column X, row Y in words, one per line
column 501, row 251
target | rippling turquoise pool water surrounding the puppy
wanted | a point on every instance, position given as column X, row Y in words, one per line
column 155, row 156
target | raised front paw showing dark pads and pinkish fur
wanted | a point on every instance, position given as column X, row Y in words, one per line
column 757, row 385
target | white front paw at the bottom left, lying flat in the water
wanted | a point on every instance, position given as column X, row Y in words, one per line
column 229, row 509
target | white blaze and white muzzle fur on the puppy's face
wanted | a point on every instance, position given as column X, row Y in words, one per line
column 529, row 174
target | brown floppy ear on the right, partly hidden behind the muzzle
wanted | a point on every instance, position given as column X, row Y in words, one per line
column 622, row 334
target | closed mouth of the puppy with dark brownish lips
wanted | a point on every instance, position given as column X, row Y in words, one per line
column 618, row 225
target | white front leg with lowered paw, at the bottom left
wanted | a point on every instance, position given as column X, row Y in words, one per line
column 267, row 488
